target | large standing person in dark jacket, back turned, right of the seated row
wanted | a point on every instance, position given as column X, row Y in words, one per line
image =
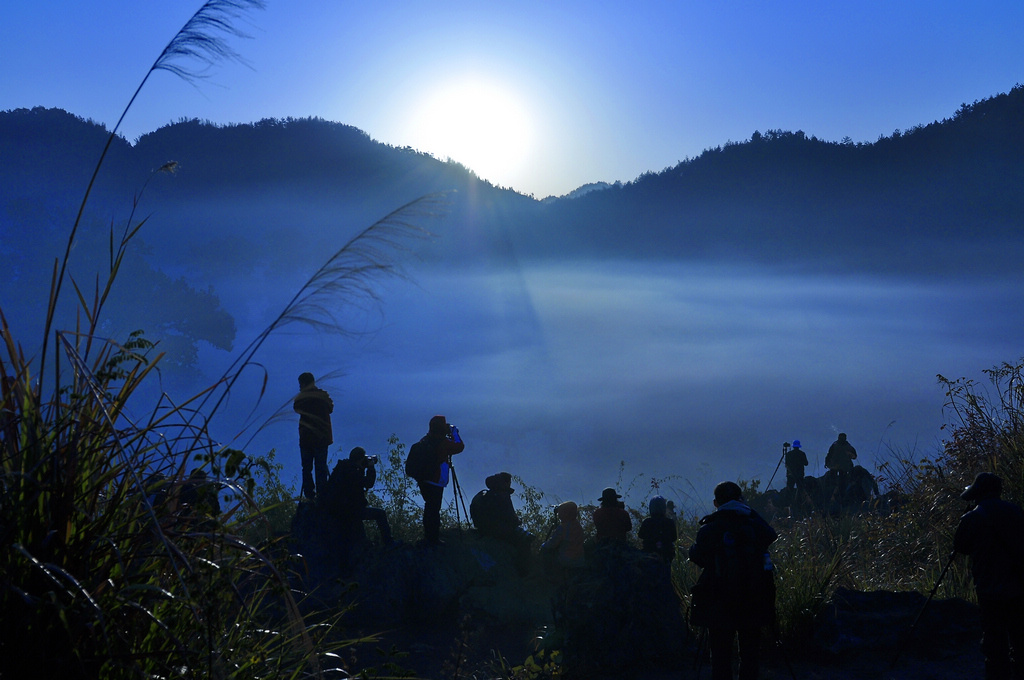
column 736, row 587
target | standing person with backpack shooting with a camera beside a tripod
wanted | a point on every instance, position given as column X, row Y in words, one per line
column 430, row 463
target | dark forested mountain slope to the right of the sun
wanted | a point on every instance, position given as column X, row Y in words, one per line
column 907, row 202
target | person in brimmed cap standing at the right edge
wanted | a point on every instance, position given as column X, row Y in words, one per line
column 993, row 534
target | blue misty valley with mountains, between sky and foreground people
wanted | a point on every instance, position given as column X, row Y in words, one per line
column 687, row 322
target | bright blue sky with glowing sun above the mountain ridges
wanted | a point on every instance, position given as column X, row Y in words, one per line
column 603, row 92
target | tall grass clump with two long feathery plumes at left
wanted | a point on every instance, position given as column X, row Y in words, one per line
column 116, row 559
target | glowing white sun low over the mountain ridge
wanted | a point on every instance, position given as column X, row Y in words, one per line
column 482, row 124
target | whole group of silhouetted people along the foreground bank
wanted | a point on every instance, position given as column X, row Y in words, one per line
column 735, row 597
